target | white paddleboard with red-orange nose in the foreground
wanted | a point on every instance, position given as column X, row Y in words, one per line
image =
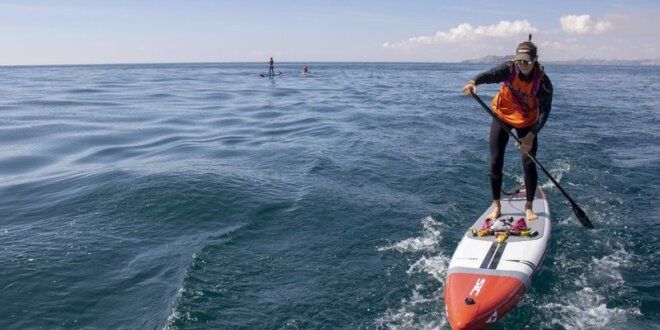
column 490, row 270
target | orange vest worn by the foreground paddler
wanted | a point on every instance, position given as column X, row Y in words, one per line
column 516, row 102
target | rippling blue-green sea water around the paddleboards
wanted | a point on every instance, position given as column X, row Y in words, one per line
column 202, row 196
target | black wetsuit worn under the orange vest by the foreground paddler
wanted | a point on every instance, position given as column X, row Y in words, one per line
column 499, row 137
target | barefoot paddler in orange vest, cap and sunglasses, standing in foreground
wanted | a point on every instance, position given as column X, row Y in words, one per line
column 523, row 102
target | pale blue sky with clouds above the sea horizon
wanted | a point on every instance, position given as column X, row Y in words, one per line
column 149, row 31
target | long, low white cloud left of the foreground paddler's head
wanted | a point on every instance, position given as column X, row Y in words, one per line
column 466, row 32
